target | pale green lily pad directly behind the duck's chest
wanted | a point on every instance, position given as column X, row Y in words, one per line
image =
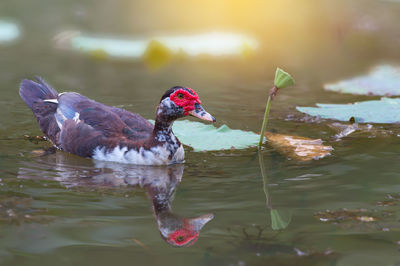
column 203, row 137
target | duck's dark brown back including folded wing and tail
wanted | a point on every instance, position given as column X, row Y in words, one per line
column 78, row 124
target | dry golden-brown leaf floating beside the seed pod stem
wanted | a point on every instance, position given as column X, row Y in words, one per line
column 299, row 148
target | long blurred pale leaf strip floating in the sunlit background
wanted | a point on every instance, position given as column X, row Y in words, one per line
column 214, row 44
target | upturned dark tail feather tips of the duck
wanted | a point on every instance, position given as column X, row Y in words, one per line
column 31, row 91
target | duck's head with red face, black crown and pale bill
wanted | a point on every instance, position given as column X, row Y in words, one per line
column 179, row 102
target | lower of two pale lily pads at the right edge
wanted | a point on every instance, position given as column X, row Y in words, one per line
column 385, row 111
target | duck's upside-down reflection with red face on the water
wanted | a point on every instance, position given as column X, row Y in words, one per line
column 159, row 182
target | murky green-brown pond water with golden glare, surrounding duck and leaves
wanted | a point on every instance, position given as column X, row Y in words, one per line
column 66, row 210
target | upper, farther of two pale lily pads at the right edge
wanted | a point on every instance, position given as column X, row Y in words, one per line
column 383, row 80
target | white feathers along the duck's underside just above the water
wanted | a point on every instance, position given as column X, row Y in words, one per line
column 159, row 155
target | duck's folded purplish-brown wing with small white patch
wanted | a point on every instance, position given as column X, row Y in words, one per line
column 86, row 124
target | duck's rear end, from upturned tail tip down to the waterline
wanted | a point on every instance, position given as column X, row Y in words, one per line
column 35, row 94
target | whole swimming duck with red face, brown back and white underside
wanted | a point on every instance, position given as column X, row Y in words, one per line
column 76, row 124
